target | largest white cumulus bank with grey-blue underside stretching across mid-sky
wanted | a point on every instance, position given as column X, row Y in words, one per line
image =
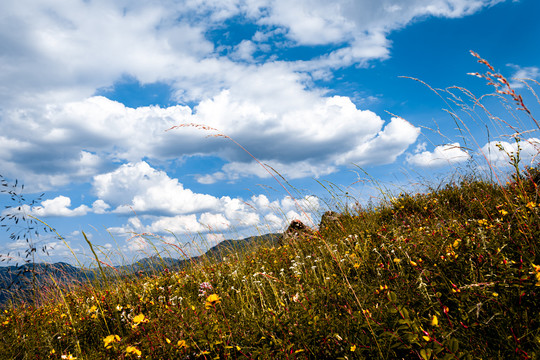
column 307, row 137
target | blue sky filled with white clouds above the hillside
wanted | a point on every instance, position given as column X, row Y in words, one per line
column 170, row 125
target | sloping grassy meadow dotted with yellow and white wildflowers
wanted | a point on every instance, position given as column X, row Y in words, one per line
column 448, row 273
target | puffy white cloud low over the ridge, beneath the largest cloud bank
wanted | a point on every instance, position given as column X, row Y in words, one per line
column 171, row 208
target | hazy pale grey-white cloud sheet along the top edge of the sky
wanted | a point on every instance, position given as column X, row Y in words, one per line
column 66, row 50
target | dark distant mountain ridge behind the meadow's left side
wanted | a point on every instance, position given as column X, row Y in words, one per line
column 19, row 281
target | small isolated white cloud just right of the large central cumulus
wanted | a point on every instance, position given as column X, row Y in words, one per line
column 442, row 155
